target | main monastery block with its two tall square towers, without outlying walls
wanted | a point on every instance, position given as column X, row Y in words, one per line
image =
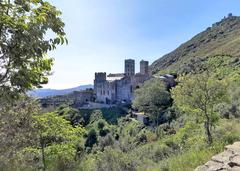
column 117, row 88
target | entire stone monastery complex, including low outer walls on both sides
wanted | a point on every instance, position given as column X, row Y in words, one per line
column 109, row 89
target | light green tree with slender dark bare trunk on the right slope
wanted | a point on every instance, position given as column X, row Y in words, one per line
column 197, row 95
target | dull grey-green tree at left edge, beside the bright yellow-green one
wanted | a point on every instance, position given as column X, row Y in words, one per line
column 17, row 131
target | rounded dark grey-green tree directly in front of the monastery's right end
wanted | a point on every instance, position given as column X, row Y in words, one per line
column 152, row 98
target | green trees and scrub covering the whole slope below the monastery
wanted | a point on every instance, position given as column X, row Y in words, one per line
column 198, row 118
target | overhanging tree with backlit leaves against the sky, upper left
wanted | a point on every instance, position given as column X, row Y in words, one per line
column 24, row 64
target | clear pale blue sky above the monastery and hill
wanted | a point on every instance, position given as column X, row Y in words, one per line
column 102, row 33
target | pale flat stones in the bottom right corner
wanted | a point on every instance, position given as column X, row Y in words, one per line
column 229, row 160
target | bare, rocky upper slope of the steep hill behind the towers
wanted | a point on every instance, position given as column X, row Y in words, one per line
column 222, row 38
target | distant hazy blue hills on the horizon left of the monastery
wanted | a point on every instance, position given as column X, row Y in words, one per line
column 53, row 92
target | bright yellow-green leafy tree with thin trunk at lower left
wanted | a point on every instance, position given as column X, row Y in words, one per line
column 56, row 133
